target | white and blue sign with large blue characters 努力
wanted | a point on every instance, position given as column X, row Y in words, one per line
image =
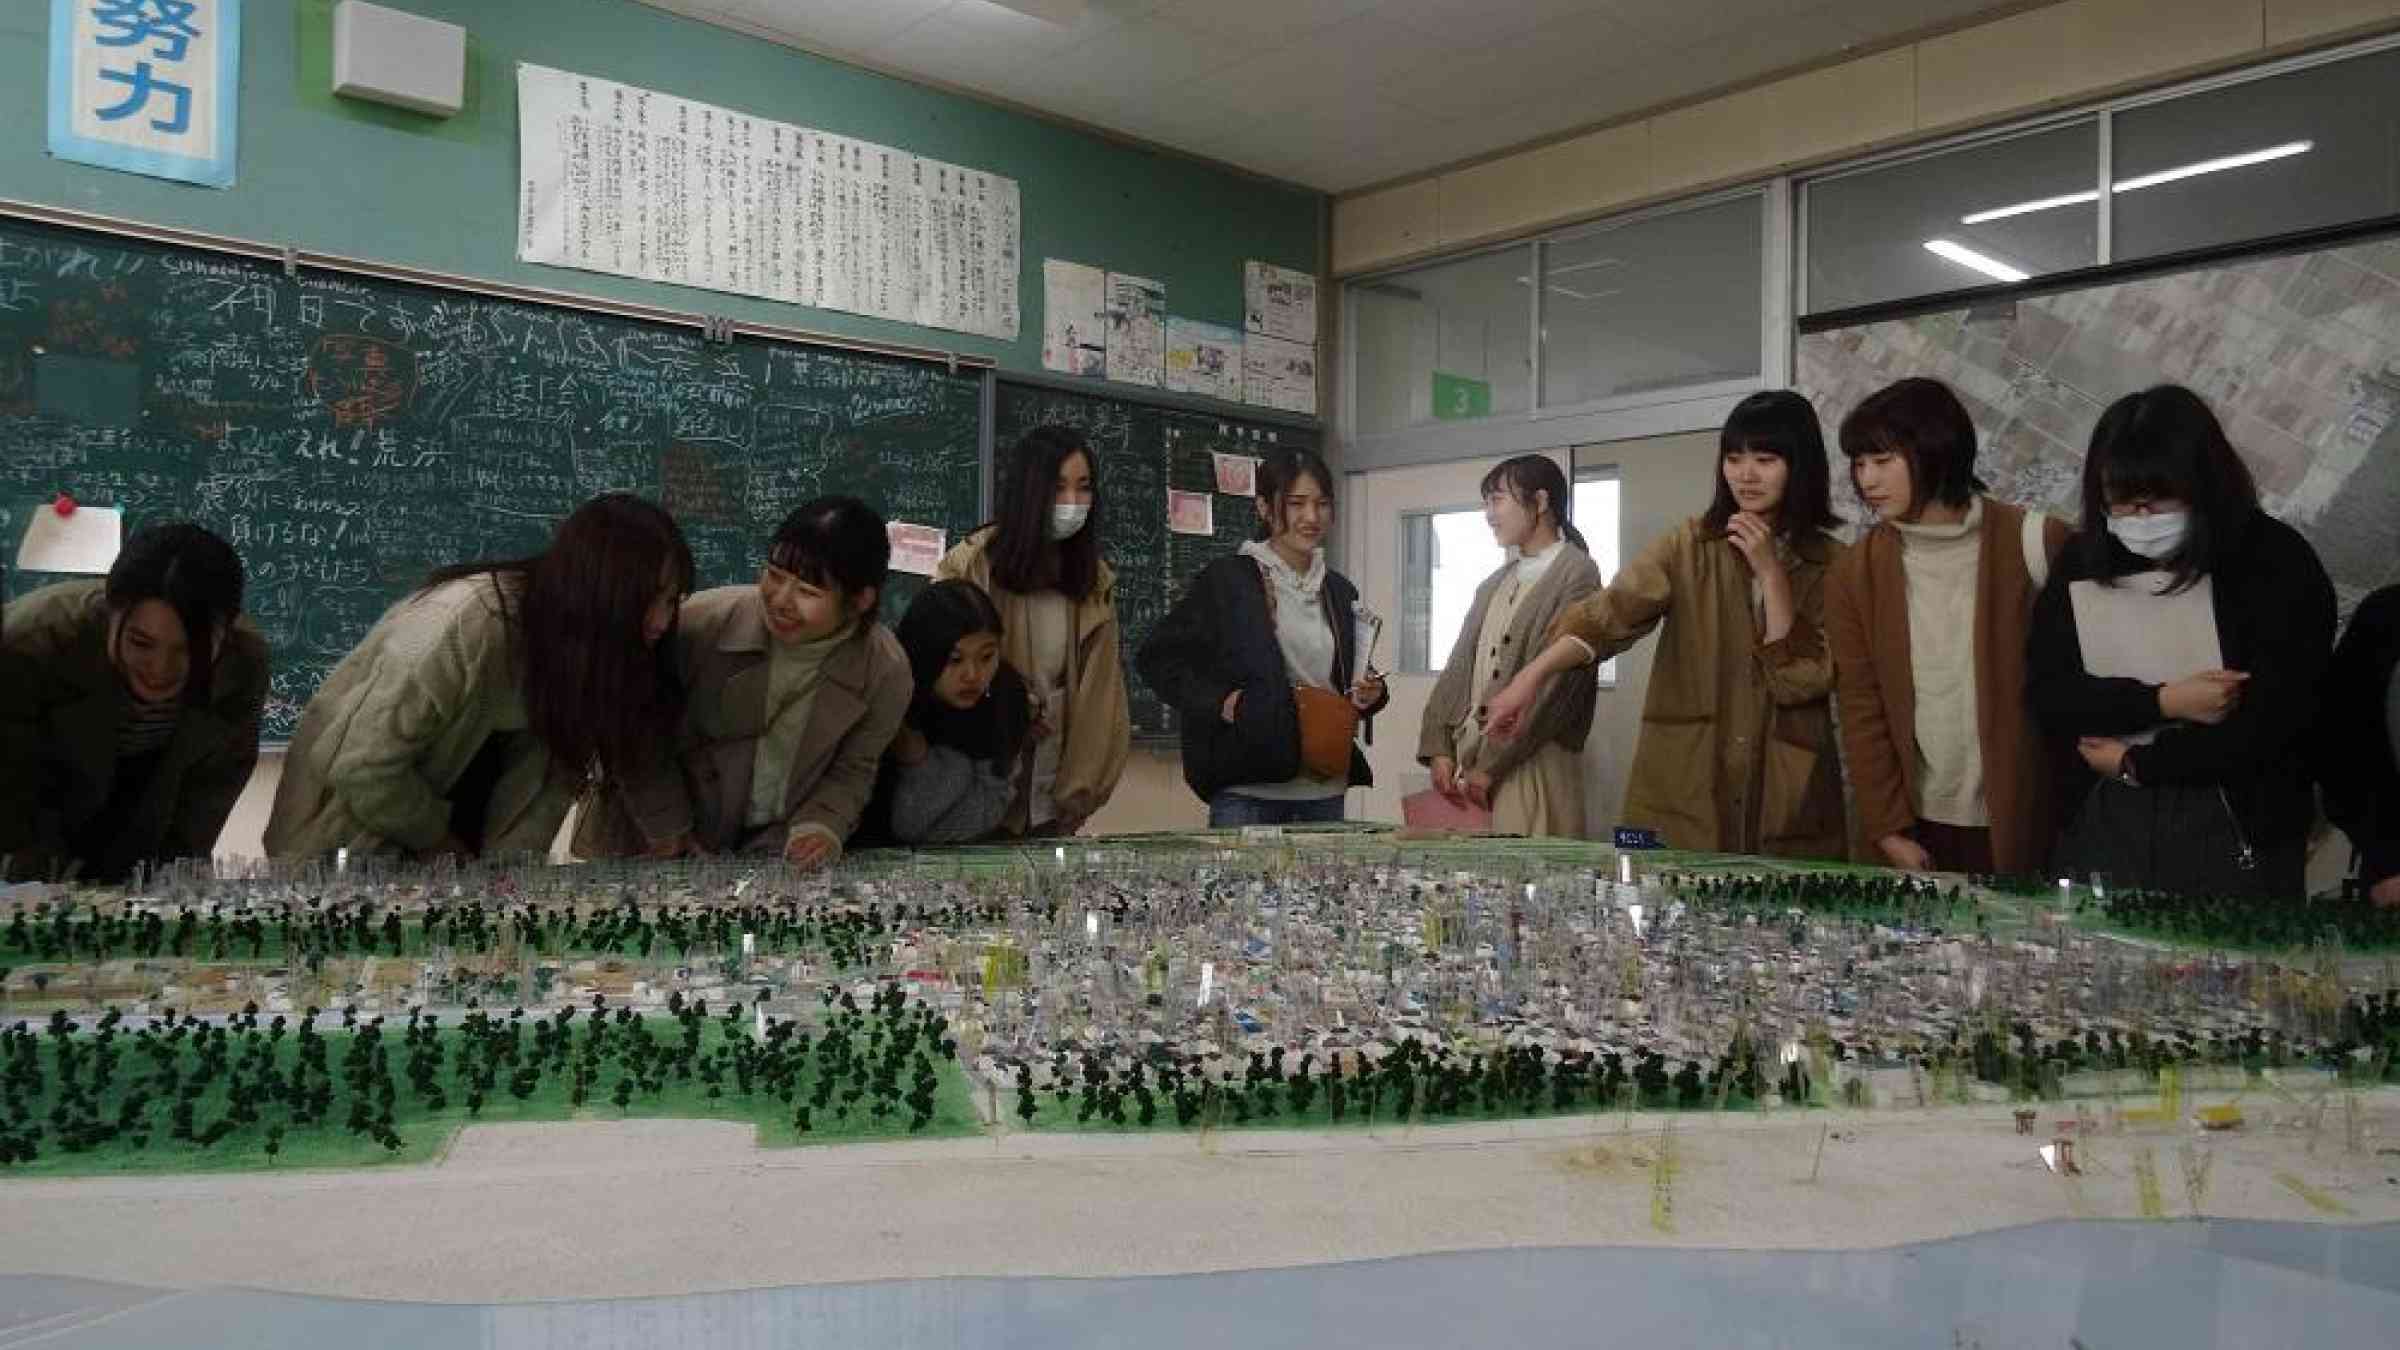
column 148, row 85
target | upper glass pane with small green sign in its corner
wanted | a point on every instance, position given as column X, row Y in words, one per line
column 1446, row 342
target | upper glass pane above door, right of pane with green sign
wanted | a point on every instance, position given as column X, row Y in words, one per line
column 1655, row 304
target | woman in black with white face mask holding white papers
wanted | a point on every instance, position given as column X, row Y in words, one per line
column 2180, row 645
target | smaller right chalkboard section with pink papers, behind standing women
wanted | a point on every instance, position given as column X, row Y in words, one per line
column 1146, row 450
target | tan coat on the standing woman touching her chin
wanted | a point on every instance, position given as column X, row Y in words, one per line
column 1736, row 736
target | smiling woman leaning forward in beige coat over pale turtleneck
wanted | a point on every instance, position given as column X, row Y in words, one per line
column 796, row 691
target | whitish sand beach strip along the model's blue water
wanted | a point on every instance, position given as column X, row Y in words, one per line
column 616, row 1209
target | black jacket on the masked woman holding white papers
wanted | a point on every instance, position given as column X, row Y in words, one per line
column 2276, row 621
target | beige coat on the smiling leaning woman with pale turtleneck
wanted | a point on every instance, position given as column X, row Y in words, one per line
column 726, row 652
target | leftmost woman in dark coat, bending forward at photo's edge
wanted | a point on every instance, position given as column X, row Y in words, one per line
column 128, row 710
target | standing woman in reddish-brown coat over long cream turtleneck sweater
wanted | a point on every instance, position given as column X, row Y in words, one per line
column 1928, row 623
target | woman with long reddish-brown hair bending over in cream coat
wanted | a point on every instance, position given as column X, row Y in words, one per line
column 479, row 710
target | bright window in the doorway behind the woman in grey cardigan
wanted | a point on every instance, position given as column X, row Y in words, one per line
column 1448, row 554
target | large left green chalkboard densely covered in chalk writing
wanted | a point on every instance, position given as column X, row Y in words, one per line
column 349, row 436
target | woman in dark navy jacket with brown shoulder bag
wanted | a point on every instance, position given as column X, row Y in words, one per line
column 1268, row 662
